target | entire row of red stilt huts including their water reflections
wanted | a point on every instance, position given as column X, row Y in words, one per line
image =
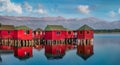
column 55, row 38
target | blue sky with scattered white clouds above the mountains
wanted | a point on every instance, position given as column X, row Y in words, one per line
column 104, row 9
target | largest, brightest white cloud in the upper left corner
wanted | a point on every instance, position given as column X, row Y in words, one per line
column 8, row 6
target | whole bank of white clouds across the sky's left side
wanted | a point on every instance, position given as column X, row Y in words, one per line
column 7, row 6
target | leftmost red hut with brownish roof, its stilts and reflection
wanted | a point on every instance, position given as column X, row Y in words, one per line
column 6, row 35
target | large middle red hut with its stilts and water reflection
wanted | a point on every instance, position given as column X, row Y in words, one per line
column 54, row 39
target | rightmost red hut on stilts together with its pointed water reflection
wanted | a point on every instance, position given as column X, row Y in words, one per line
column 85, row 41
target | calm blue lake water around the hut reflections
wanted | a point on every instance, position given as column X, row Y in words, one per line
column 106, row 52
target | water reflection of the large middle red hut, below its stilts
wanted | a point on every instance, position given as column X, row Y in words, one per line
column 55, row 51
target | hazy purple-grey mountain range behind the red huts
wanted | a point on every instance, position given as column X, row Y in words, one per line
column 72, row 23
